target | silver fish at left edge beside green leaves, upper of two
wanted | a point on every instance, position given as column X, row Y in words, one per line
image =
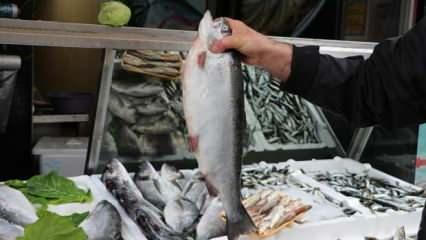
column 15, row 208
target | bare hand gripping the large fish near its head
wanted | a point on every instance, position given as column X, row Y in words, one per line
column 257, row 49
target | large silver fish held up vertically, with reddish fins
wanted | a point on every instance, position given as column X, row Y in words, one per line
column 214, row 113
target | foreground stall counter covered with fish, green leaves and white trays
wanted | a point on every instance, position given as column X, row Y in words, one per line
column 339, row 198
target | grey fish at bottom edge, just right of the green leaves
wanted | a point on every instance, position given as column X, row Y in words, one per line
column 103, row 223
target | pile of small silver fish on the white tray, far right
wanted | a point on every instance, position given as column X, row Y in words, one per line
column 376, row 194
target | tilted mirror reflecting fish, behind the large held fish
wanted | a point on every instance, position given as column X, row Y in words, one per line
column 140, row 115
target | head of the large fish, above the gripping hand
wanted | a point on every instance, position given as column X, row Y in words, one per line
column 211, row 29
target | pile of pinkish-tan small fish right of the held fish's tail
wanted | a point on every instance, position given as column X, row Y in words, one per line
column 273, row 210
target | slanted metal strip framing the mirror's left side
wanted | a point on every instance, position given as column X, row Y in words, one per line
column 101, row 111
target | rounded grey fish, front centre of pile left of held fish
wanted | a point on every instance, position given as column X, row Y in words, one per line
column 181, row 214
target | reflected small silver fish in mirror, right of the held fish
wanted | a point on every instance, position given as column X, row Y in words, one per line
column 284, row 118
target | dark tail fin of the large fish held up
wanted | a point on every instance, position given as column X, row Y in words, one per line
column 242, row 225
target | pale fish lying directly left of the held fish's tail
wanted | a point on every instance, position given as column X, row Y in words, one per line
column 211, row 224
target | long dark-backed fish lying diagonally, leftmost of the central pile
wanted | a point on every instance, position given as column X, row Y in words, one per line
column 146, row 215
